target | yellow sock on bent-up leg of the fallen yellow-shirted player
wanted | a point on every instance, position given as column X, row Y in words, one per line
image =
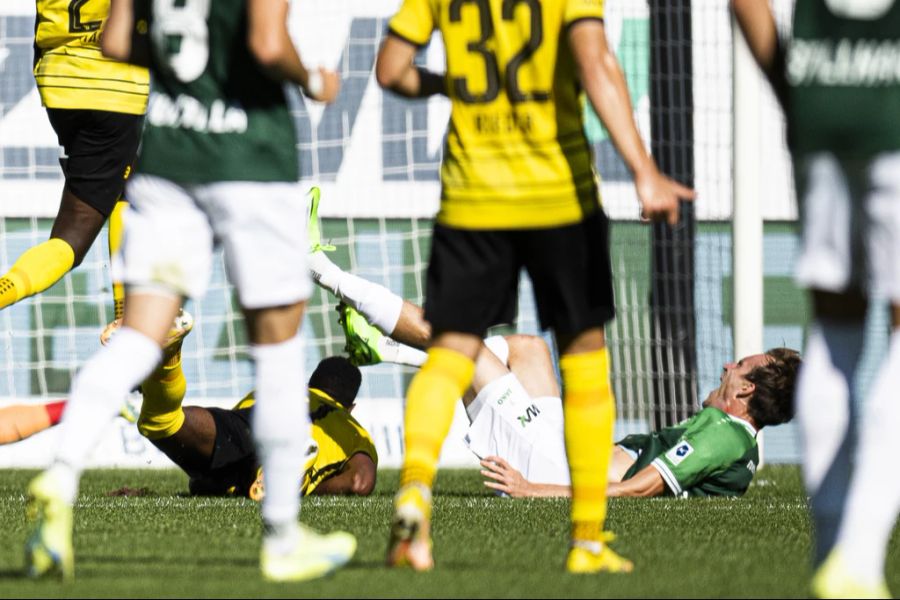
column 161, row 412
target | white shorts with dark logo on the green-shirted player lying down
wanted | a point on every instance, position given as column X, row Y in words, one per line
column 527, row 432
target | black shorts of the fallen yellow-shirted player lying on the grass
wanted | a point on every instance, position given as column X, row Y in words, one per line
column 233, row 466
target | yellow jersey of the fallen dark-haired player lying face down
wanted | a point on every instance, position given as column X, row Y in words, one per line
column 339, row 437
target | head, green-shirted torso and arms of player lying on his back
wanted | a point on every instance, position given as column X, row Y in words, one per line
column 714, row 453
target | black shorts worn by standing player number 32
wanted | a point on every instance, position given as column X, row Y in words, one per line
column 473, row 277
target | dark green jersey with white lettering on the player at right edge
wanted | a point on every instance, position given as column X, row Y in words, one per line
column 843, row 77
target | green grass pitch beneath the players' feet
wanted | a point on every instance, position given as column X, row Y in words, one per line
column 165, row 544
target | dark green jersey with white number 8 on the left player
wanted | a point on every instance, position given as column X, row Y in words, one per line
column 213, row 114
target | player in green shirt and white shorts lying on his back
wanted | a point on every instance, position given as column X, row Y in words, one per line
column 516, row 414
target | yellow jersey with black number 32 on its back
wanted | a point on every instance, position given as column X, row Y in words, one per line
column 515, row 155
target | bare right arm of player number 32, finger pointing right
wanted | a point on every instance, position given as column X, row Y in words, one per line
column 604, row 83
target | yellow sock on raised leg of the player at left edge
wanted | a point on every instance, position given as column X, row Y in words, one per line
column 37, row 269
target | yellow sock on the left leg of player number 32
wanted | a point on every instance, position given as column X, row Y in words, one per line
column 430, row 403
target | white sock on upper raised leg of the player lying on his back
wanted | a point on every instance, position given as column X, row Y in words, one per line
column 380, row 306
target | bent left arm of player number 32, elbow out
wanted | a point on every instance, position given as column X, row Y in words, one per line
column 396, row 71
